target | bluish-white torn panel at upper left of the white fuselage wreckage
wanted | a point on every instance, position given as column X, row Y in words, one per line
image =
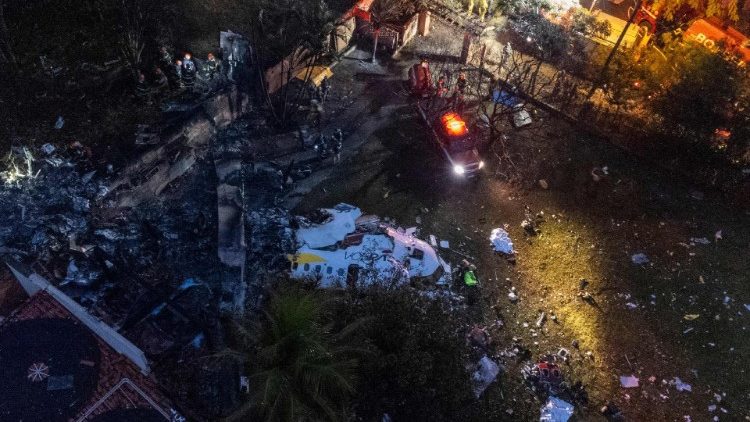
column 342, row 222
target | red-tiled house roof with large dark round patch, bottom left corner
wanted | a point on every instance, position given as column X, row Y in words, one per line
column 57, row 369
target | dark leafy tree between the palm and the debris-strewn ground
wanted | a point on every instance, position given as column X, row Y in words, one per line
column 418, row 372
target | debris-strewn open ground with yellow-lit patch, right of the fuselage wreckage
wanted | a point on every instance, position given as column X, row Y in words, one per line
column 684, row 314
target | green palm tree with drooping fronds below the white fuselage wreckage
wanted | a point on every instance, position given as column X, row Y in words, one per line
column 303, row 369
